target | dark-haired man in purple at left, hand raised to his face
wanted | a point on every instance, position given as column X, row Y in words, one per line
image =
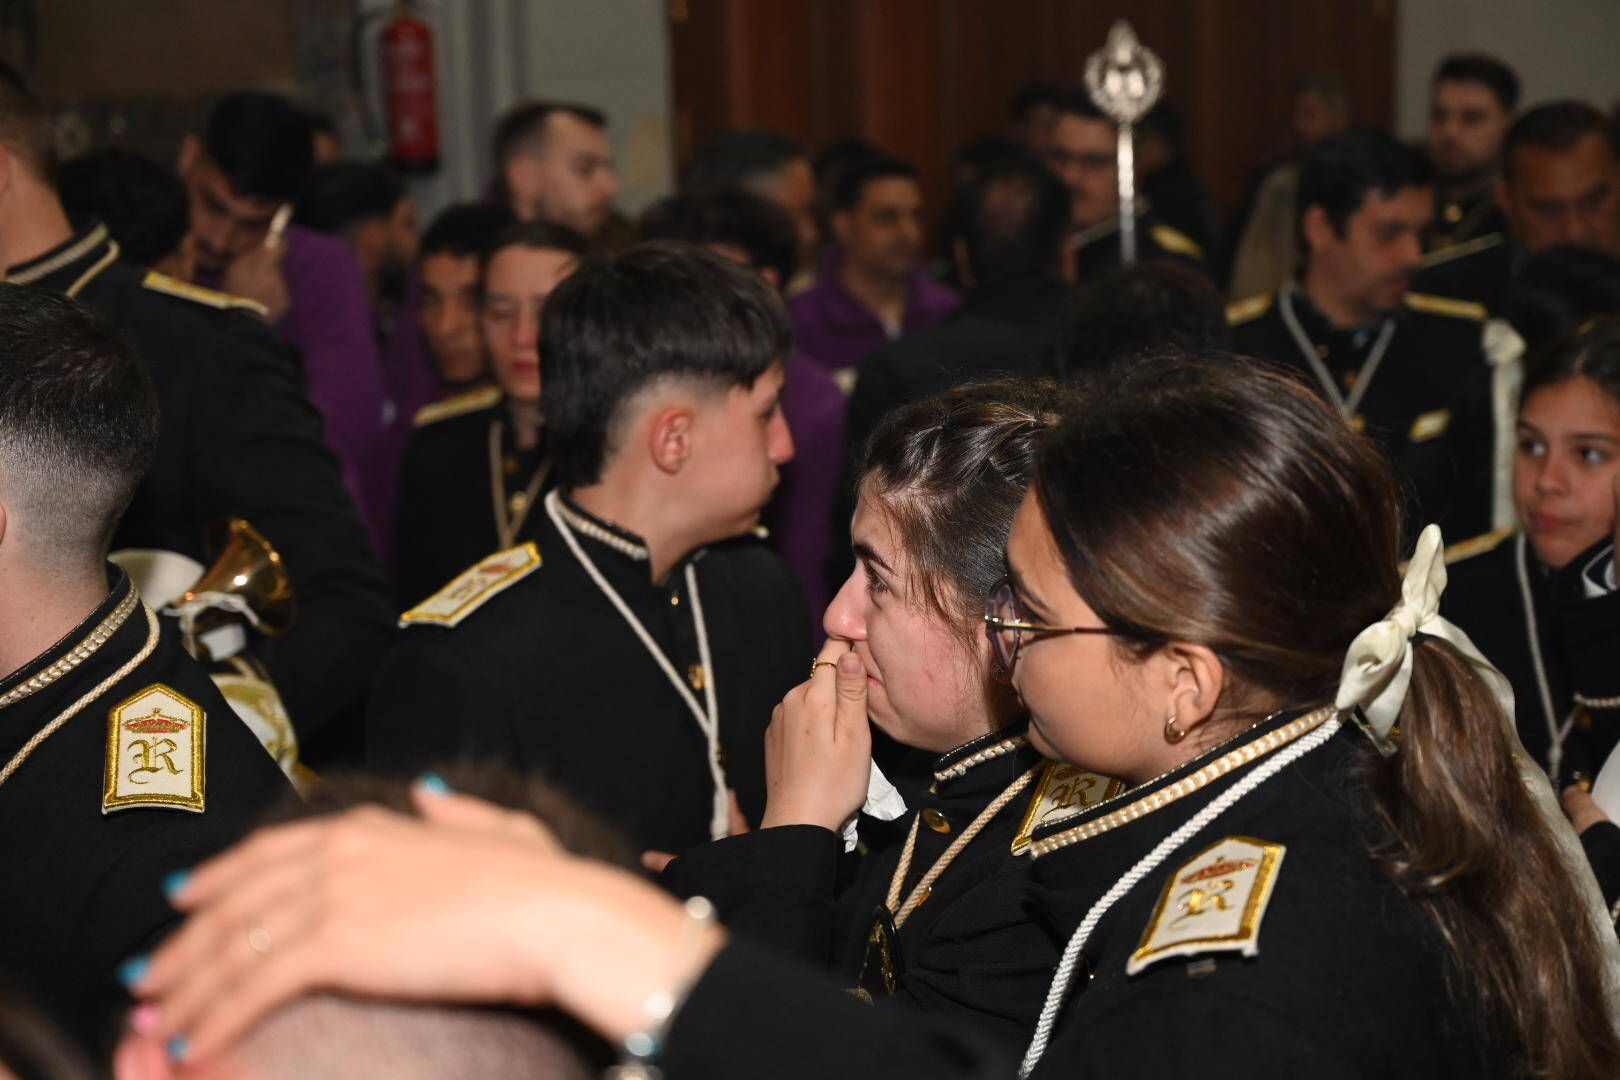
column 244, row 174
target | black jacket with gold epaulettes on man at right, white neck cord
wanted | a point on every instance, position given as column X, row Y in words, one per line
column 1428, row 406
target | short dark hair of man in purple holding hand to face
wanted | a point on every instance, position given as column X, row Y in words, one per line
column 263, row 145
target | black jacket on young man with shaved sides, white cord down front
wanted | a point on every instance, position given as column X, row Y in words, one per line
column 547, row 678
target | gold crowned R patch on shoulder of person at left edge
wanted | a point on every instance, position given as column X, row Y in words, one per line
column 156, row 744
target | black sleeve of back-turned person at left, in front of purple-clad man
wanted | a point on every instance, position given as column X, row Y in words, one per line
column 262, row 457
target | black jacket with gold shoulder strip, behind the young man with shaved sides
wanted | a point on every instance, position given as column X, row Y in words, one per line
column 448, row 496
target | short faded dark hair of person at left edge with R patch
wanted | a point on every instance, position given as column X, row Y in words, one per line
column 79, row 425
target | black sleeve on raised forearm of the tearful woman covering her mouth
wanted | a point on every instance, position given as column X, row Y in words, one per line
column 774, row 887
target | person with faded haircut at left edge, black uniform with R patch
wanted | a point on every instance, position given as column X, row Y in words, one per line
column 104, row 718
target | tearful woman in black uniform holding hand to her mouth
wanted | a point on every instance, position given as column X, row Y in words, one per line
column 940, row 485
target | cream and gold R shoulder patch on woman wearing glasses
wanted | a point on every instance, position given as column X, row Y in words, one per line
column 1213, row 904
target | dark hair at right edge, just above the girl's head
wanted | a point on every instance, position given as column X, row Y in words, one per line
column 1558, row 291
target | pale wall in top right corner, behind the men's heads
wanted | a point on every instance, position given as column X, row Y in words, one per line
column 1559, row 49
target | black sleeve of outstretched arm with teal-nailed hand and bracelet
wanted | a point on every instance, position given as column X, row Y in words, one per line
column 754, row 1014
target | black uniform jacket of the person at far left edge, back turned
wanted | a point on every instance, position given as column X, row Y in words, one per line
column 82, row 890
